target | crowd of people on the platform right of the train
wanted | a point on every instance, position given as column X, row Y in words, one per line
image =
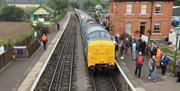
column 137, row 48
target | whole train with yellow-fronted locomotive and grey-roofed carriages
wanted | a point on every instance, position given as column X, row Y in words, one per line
column 98, row 44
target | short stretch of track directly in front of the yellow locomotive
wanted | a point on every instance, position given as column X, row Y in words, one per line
column 104, row 82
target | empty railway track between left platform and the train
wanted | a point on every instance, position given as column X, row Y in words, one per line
column 59, row 72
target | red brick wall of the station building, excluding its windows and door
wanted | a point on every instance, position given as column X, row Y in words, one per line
column 118, row 18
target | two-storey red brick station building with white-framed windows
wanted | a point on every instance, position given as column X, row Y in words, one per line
column 134, row 17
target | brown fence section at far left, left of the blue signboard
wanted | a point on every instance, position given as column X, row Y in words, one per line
column 6, row 57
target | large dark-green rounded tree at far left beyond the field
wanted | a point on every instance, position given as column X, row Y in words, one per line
column 12, row 13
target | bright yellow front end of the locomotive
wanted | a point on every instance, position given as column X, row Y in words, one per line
column 101, row 53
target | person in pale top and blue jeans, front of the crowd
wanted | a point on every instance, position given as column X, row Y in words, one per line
column 152, row 67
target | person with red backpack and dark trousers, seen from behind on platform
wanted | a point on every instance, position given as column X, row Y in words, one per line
column 139, row 64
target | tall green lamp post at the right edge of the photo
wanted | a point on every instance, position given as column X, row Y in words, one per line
column 177, row 31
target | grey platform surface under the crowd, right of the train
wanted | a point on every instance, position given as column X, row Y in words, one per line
column 164, row 83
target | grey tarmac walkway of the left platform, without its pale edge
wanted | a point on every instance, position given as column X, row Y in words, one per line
column 12, row 76
